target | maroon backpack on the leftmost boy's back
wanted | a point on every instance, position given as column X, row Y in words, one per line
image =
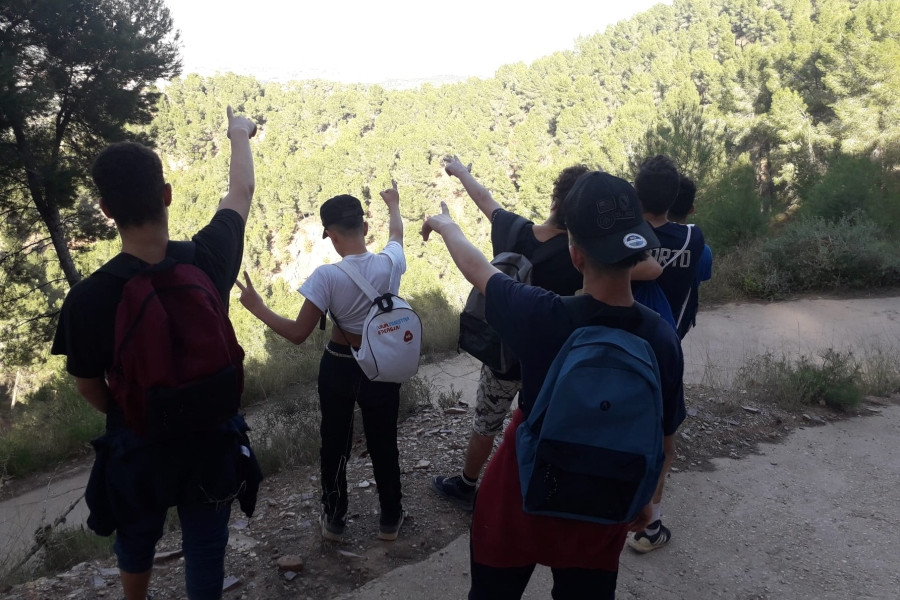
column 177, row 365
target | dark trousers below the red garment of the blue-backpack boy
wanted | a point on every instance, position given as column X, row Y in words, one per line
column 494, row 583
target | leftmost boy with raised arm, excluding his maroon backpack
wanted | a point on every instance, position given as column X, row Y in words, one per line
column 135, row 480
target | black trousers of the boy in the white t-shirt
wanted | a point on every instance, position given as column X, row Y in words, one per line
column 342, row 385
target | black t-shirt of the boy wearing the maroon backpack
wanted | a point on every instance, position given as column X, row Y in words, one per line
column 85, row 332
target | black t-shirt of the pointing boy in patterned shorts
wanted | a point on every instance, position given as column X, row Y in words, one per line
column 553, row 272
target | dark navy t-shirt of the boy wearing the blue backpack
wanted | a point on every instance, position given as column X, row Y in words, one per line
column 535, row 323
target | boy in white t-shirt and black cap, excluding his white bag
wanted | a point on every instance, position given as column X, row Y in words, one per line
column 341, row 382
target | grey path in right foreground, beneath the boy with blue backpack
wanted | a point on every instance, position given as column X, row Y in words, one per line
column 812, row 518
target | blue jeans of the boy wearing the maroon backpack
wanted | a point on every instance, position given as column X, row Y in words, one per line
column 204, row 536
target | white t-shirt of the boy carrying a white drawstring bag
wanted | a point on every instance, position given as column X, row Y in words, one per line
column 330, row 289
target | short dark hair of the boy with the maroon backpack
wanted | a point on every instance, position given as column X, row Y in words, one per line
column 130, row 179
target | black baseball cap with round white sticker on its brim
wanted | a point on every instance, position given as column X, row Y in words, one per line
column 604, row 216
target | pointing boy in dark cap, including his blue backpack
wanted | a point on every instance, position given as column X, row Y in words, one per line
column 580, row 540
